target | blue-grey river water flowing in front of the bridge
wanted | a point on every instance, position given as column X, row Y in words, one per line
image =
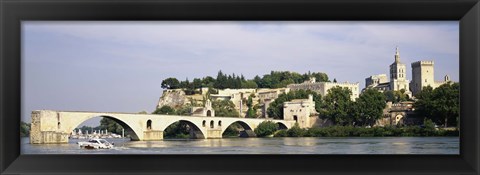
column 302, row 145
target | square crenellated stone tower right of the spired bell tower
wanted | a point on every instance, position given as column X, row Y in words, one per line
column 422, row 76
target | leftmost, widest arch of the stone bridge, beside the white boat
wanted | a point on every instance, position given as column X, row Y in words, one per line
column 133, row 131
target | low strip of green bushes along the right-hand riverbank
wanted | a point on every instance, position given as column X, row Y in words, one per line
column 350, row 131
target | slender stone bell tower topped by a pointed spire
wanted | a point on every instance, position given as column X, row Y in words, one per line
column 398, row 79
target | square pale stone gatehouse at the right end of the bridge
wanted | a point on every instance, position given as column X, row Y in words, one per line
column 301, row 110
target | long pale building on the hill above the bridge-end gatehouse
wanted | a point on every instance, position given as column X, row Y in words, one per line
column 323, row 87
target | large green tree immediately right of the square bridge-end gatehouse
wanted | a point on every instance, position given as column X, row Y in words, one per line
column 337, row 105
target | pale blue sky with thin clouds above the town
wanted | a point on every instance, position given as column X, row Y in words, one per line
column 119, row 66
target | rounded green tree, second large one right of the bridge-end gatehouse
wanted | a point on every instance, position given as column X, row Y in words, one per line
column 368, row 107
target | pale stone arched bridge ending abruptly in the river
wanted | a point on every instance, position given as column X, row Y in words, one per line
column 55, row 126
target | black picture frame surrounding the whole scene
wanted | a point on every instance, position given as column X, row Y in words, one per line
column 14, row 11
